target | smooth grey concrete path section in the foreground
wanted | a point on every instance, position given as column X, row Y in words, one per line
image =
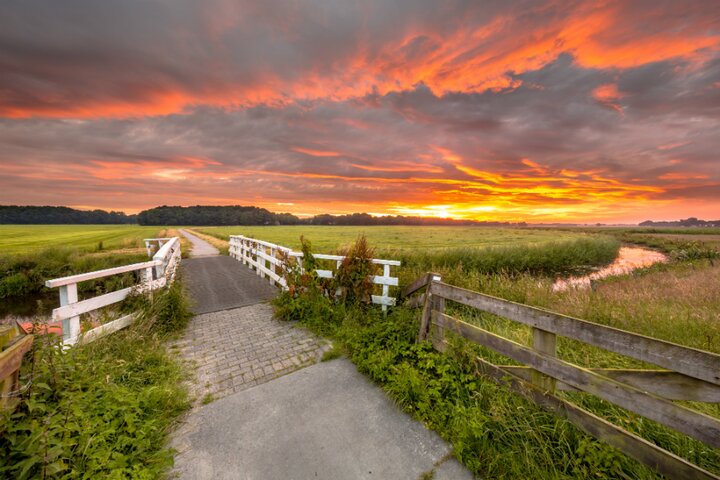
column 326, row 421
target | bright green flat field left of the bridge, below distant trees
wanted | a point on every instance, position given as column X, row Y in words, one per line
column 20, row 239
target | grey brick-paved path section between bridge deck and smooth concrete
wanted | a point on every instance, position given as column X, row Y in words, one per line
column 233, row 350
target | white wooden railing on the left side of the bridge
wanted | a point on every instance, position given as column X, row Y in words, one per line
column 156, row 273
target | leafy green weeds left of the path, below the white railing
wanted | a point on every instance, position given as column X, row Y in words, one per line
column 101, row 410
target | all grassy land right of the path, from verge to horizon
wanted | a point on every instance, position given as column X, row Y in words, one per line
column 676, row 301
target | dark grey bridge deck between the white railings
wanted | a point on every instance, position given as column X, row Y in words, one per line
column 221, row 283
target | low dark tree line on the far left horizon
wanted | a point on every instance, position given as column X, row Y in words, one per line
column 26, row 215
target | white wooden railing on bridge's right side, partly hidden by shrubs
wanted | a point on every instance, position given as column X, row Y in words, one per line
column 263, row 257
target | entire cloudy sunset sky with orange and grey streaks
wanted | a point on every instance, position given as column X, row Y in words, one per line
column 537, row 111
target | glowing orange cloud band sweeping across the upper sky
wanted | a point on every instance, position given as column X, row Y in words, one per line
column 474, row 56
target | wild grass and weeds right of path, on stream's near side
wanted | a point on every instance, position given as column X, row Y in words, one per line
column 494, row 432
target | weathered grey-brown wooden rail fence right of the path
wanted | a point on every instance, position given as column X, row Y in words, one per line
column 687, row 374
